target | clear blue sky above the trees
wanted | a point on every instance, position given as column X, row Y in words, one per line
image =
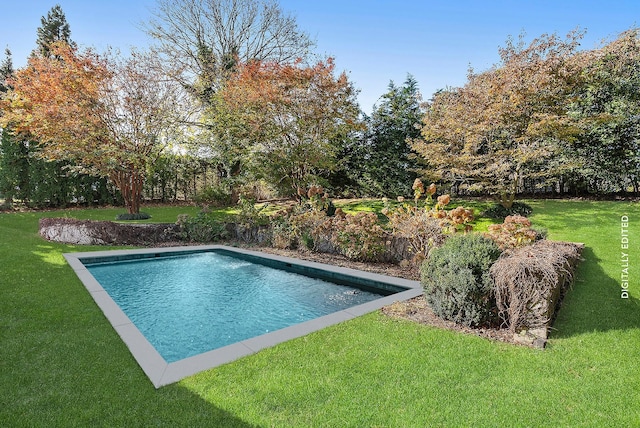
column 375, row 42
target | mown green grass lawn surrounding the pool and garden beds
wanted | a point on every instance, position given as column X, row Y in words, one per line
column 61, row 363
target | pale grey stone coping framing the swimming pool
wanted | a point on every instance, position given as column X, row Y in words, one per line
column 162, row 373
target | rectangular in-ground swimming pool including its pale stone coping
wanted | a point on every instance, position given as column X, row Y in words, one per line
column 168, row 305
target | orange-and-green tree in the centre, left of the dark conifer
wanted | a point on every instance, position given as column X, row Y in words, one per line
column 287, row 119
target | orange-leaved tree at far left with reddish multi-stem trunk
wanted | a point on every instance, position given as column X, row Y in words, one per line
column 109, row 116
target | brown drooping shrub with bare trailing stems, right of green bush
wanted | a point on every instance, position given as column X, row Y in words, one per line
column 527, row 282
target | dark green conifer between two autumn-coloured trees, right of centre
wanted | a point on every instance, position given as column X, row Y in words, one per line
column 386, row 167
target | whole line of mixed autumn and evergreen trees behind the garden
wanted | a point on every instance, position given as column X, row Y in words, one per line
column 232, row 100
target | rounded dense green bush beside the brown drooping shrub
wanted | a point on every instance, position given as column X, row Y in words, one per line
column 457, row 282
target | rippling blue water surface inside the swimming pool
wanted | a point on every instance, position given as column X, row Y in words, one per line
column 189, row 304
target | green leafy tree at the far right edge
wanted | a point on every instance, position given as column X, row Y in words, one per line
column 606, row 156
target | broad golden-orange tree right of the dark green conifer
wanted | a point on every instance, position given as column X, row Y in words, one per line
column 504, row 123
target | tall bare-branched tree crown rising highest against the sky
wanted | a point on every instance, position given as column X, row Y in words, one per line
column 202, row 41
